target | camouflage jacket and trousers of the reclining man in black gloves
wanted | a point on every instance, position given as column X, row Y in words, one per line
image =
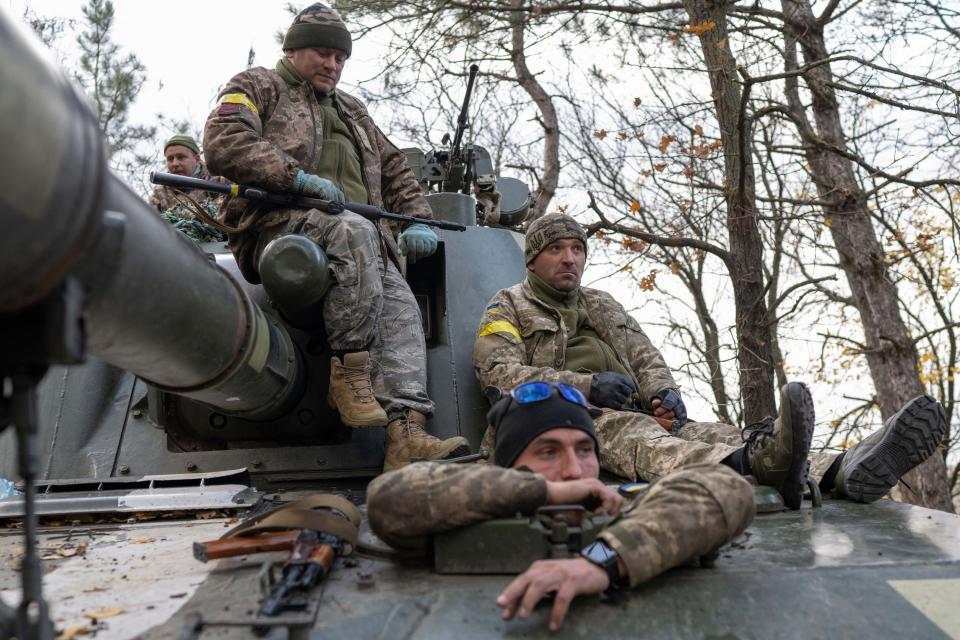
column 522, row 339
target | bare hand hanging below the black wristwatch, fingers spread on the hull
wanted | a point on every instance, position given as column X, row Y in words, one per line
column 567, row 579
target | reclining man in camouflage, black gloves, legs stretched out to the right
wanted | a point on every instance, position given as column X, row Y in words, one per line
column 548, row 327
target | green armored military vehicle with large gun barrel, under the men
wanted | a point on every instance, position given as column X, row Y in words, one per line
column 158, row 399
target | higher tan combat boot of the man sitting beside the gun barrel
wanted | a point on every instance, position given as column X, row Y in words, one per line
column 351, row 391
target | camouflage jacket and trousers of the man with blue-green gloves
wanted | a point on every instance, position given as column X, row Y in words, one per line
column 265, row 131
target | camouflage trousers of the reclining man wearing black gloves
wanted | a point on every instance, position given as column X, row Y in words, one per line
column 634, row 445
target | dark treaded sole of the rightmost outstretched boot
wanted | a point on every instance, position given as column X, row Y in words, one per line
column 911, row 437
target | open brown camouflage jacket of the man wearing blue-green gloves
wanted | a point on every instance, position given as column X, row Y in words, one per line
column 264, row 131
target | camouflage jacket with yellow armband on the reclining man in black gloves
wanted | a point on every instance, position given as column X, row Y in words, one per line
column 521, row 339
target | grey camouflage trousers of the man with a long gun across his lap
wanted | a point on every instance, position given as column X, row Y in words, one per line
column 368, row 307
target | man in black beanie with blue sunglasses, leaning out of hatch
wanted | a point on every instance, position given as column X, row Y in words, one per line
column 547, row 453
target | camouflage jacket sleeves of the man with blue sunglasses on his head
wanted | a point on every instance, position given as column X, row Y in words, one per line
column 684, row 515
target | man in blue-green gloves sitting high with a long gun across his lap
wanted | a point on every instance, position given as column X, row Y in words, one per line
column 289, row 129
